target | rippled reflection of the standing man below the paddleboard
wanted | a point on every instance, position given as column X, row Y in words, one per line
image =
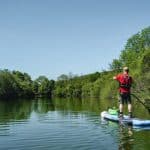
column 126, row 140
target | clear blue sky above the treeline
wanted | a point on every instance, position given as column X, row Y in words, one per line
column 54, row 37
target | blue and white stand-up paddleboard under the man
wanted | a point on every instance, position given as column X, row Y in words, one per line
column 125, row 119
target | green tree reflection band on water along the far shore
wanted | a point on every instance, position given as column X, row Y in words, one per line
column 21, row 109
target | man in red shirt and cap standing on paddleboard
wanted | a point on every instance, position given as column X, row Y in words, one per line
column 125, row 82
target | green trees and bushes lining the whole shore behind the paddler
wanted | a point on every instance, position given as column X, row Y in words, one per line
column 135, row 55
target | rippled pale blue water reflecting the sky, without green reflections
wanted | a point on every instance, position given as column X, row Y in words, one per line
column 58, row 130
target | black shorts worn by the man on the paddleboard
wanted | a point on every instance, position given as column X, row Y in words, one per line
column 125, row 98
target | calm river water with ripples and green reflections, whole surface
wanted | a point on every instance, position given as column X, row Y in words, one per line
column 69, row 124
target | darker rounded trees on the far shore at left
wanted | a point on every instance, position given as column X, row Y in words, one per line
column 17, row 84
